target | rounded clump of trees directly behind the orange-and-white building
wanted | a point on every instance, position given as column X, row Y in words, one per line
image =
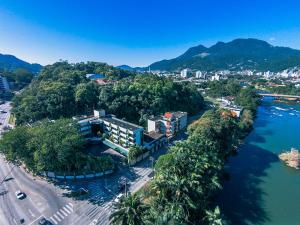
column 149, row 95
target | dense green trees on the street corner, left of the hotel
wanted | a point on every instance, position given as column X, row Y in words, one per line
column 51, row 146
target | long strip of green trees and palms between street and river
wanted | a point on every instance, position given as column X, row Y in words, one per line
column 190, row 174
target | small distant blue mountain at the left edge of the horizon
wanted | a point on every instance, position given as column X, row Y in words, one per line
column 11, row 63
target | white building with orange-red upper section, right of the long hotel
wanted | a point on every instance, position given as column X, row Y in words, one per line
column 169, row 124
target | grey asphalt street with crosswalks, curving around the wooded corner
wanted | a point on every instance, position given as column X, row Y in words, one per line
column 52, row 200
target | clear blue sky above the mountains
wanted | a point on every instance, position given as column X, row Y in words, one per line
column 138, row 32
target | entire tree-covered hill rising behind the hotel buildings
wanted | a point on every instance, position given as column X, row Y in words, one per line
column 62, row 90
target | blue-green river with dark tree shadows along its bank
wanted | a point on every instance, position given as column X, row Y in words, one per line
column 261, row 189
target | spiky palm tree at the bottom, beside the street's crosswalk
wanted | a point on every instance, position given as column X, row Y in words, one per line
column 130, row 210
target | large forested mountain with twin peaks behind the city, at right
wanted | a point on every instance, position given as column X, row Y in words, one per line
column 238, row 54
